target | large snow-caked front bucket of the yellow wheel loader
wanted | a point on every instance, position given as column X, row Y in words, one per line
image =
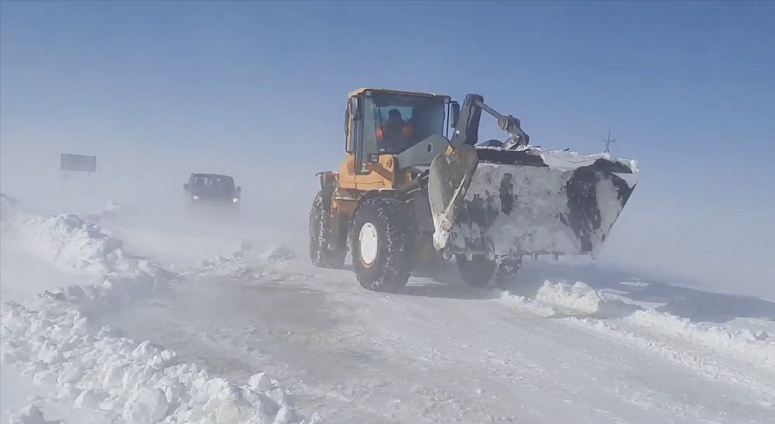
column 509, row 203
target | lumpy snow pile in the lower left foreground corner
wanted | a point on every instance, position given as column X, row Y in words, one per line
column 139, row 382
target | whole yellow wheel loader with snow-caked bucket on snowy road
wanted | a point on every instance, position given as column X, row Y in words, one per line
column 417, row 187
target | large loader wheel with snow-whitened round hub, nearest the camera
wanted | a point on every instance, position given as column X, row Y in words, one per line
column 382, row 240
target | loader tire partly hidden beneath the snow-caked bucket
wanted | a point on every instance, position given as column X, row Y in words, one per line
column 482, row 272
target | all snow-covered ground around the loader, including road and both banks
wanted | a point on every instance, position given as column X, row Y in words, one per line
column 608, row 350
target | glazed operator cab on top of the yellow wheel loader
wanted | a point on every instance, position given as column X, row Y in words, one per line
column 381, row 123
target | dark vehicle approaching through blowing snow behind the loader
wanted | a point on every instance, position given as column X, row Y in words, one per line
column 203, row 190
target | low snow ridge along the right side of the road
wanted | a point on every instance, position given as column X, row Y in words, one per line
column 581, row 302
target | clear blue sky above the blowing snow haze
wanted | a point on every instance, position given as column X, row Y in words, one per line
column 669, row 79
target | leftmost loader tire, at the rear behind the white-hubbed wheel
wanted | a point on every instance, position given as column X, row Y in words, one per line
column 325, row 249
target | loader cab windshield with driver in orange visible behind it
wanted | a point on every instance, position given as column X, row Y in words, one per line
column 401, row 121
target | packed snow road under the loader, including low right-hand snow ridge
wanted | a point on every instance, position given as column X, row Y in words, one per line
column 441, row 353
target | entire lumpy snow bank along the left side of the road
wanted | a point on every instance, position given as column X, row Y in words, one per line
column 55, row 342
